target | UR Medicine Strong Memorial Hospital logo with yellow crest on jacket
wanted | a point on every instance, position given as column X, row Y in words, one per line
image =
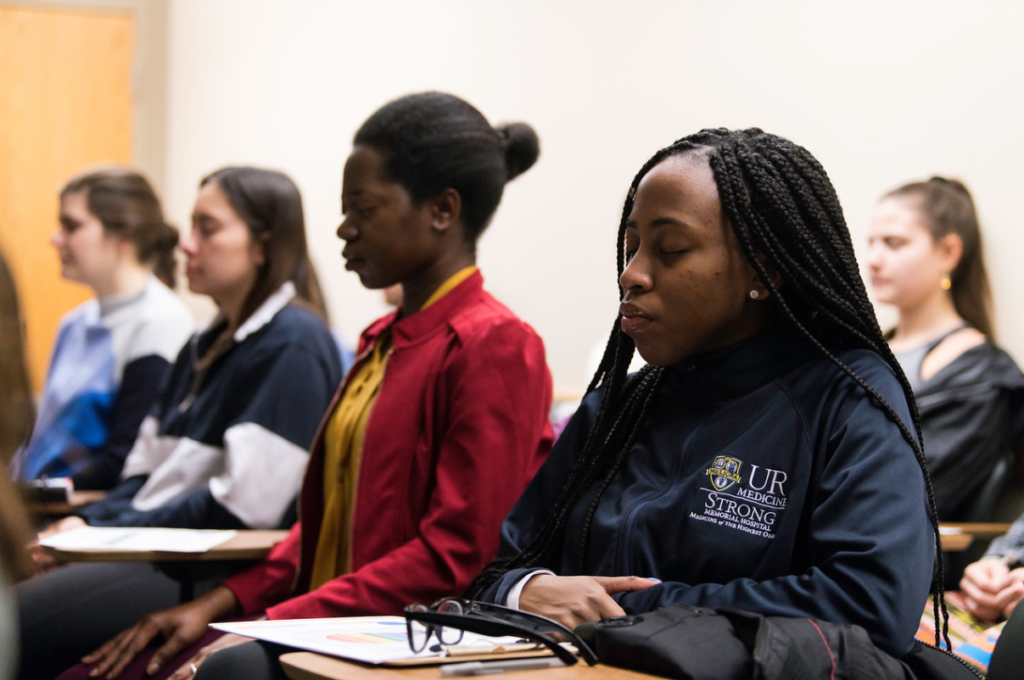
column 752, row 506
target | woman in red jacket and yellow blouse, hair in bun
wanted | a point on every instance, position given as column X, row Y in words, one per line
column 413, row 471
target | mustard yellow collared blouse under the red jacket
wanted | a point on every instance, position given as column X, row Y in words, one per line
column 344, row 450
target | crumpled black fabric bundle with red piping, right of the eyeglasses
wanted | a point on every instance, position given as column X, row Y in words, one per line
column 698, row 644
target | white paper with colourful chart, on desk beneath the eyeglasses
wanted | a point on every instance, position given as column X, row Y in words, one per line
column 368, row 640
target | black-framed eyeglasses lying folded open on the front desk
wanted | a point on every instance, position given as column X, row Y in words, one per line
column 495, row 621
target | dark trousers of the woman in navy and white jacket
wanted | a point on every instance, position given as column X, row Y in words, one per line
column 72, row 611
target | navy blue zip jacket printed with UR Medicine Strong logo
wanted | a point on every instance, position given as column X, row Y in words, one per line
column 765, row 480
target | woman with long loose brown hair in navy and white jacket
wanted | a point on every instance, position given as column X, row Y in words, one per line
column 227, row 443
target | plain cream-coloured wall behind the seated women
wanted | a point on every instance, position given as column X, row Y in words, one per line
column 881, row 93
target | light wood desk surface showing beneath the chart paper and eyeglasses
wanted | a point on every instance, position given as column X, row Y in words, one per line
column 309, row 666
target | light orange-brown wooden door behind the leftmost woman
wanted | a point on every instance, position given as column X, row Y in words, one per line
column 66, row 104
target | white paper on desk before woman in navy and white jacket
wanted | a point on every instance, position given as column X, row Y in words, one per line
column 137, row 539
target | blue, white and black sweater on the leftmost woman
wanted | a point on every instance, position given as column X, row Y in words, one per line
column 108, row 363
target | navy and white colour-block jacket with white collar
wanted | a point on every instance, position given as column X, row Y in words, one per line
column 226, row 445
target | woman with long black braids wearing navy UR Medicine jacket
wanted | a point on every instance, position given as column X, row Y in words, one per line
column 769, row 458
